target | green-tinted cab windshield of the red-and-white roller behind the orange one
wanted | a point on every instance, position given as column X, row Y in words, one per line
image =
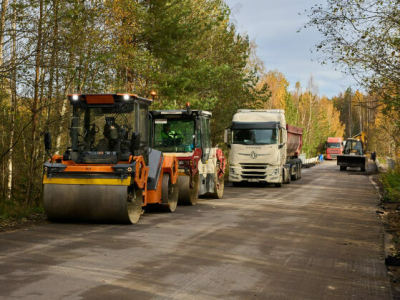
column 174, row 135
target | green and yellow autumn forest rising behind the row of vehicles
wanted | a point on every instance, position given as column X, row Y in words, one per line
column 187, row 51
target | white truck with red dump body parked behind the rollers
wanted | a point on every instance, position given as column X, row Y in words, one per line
column 263, row 148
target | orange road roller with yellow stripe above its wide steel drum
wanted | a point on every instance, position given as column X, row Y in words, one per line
column 108, row 173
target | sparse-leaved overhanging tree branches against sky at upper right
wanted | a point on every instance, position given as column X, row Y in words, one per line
column 362, row 38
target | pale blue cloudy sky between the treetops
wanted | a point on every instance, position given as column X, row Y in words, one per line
column 273, row 24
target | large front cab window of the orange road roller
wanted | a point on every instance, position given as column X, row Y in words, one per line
column 102, row 129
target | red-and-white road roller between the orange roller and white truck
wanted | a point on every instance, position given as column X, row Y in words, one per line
column 185, row 134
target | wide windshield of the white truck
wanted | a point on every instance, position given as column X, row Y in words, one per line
column 254, row 136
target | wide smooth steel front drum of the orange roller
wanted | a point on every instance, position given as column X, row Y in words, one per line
column 92, row 203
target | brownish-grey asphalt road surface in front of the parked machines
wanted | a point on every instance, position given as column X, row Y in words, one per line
column 317, row 238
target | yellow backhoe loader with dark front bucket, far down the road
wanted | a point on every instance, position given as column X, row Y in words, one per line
column 354, row 153
